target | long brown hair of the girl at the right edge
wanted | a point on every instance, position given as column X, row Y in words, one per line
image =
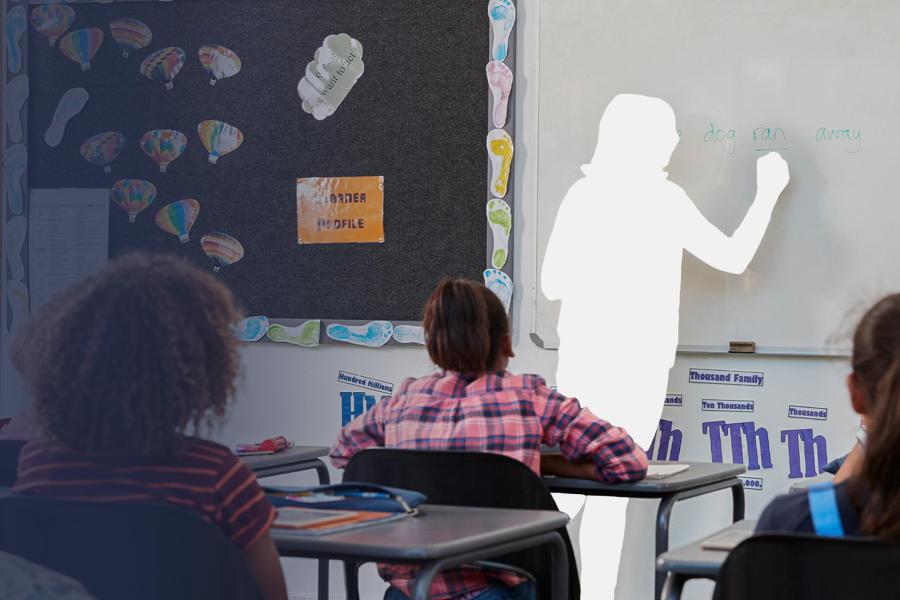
column 876, row 366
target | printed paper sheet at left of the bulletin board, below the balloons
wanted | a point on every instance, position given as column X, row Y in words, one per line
column 68, row 239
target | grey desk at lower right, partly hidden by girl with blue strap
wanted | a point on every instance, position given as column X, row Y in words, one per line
column 693, row 561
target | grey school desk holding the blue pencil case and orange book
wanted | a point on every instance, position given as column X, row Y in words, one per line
column 439, row 538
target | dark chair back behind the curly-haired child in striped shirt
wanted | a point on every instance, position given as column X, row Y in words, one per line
column 127, row 550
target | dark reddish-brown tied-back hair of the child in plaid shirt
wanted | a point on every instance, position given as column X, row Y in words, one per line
column 465, row 324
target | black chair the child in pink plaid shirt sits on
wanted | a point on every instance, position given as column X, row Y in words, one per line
column 469, row 479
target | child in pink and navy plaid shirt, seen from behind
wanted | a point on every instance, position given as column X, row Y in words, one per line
column 474, row 404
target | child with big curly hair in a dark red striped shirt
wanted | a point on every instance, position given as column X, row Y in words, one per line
column 121, row 368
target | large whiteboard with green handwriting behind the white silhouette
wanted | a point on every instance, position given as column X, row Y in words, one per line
column 793, row 74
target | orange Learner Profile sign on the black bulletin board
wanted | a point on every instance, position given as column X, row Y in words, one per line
column 335, row 210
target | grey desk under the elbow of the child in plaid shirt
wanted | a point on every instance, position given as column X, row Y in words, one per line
column 697, row 480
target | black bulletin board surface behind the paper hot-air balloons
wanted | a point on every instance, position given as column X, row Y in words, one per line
column 416, row 117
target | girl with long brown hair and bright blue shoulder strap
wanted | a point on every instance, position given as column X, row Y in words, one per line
column 867, row 500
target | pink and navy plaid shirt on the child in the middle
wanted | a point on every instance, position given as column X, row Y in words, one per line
column 494, row 412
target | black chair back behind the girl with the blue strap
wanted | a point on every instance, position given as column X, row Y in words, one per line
column 806, row 567
